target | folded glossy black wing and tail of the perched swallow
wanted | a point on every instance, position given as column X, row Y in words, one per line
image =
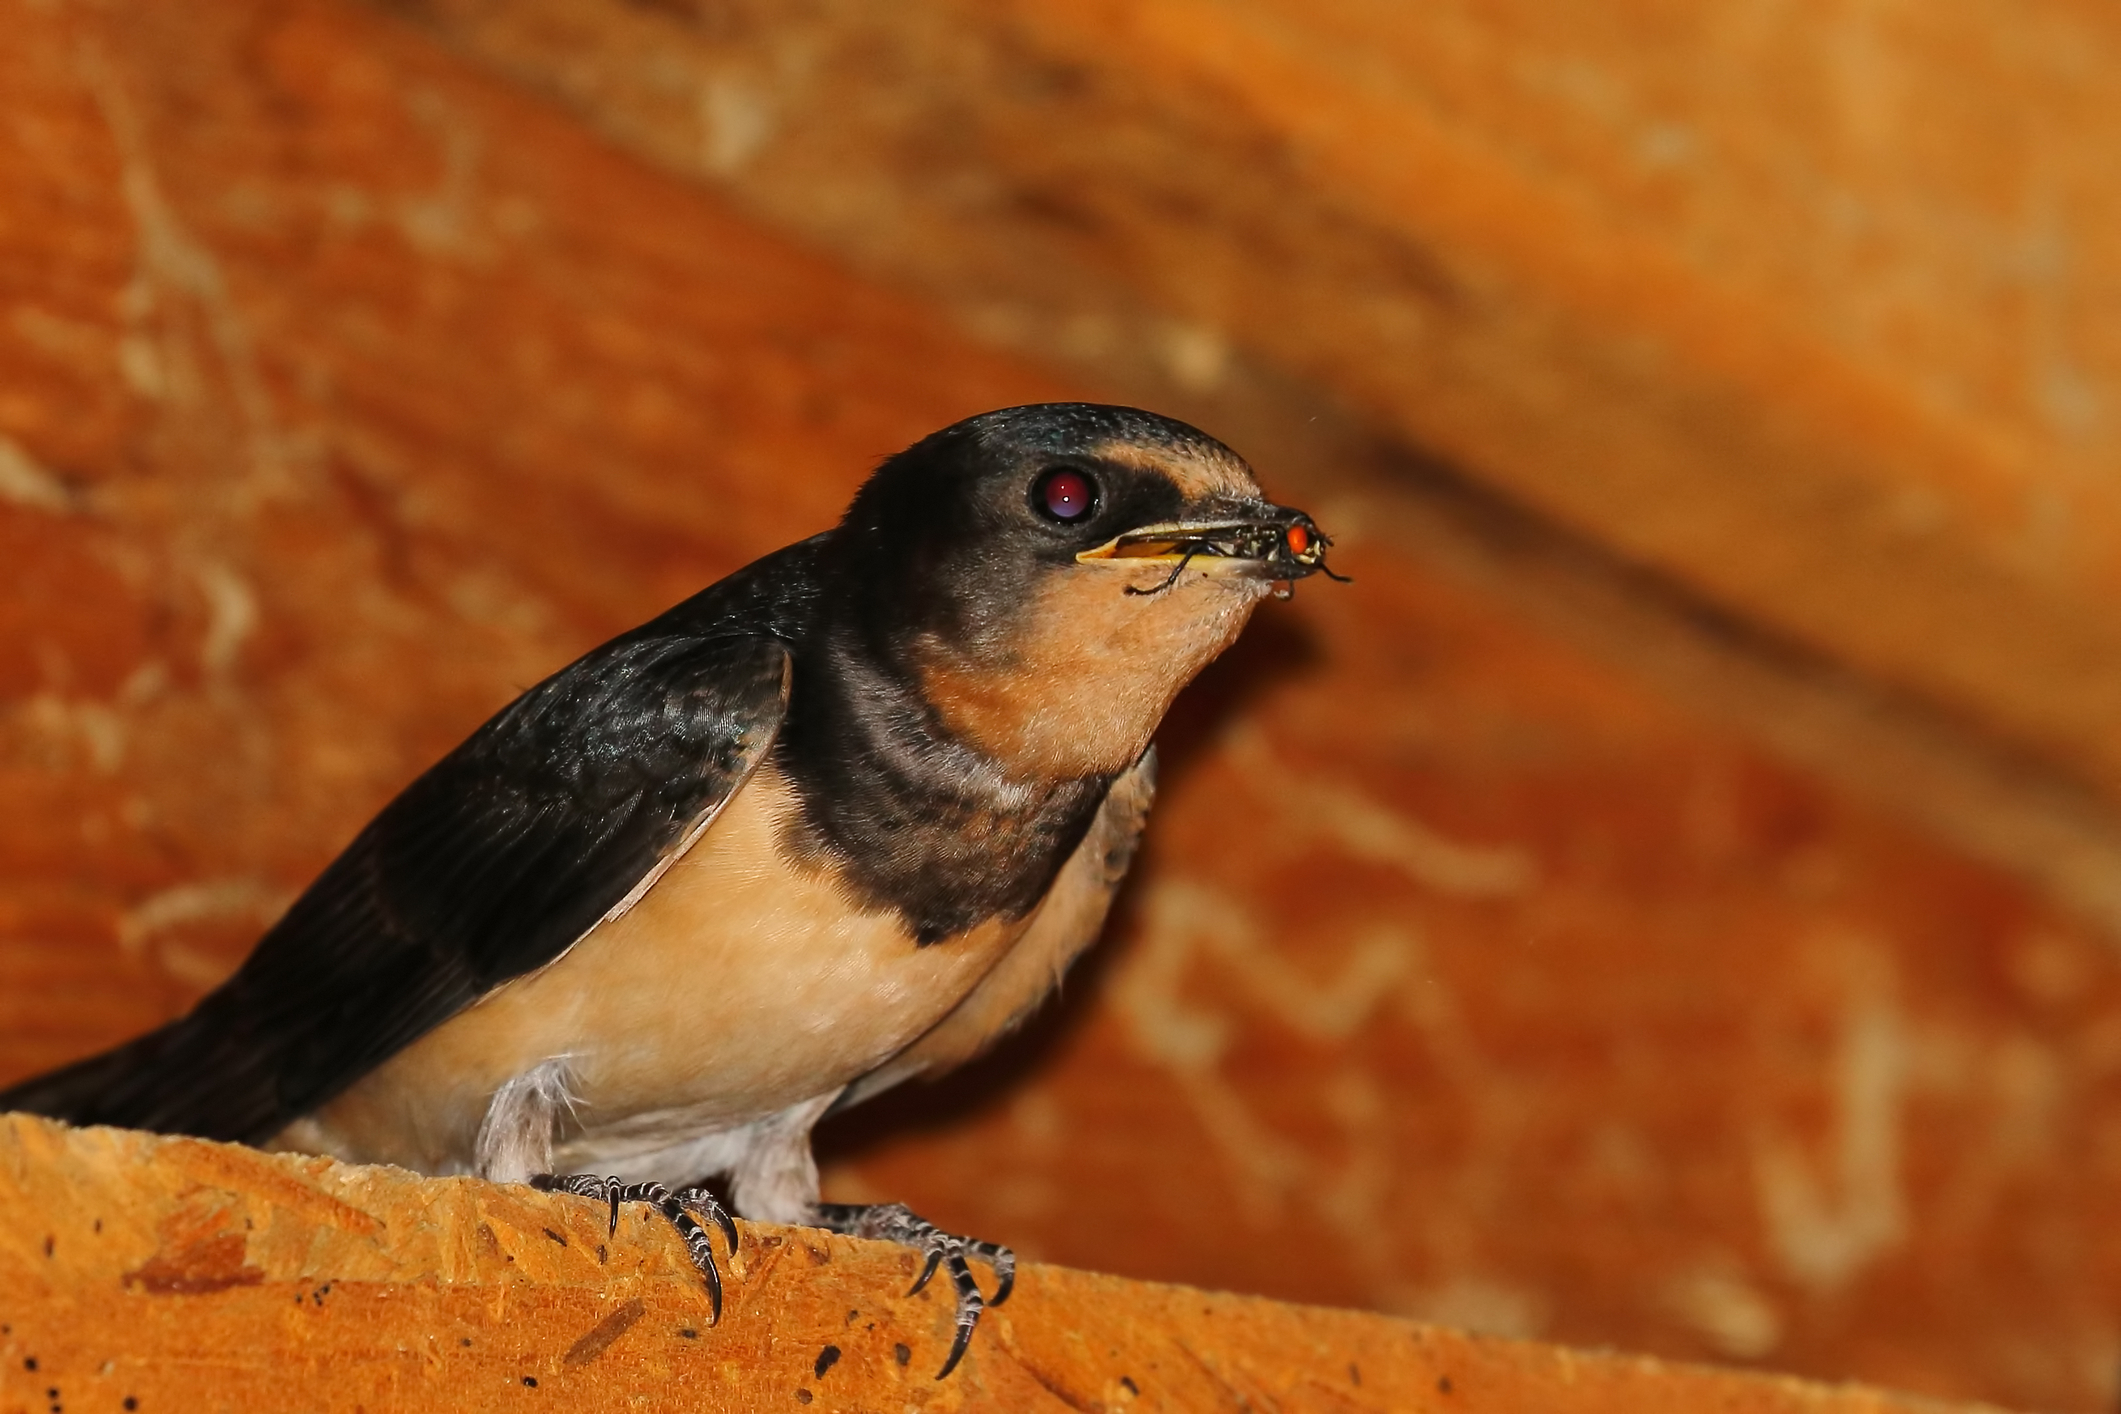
column 487, row 868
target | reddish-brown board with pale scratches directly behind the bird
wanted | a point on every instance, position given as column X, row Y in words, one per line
column 351, row 391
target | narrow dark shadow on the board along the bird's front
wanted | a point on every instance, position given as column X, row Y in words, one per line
column 1272, row 650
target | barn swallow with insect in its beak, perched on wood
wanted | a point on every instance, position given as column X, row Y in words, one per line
column 837, row 821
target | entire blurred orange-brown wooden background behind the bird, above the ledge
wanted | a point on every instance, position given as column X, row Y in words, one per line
column 1670, row 900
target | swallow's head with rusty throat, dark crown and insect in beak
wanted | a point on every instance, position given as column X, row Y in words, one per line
column 1053, row 576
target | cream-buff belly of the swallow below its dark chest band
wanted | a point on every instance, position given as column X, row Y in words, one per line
column 743, row 983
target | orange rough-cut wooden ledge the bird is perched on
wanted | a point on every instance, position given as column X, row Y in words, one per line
column 152, row 1275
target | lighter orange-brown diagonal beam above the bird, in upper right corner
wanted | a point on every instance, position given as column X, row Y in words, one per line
column 1804, row 308
